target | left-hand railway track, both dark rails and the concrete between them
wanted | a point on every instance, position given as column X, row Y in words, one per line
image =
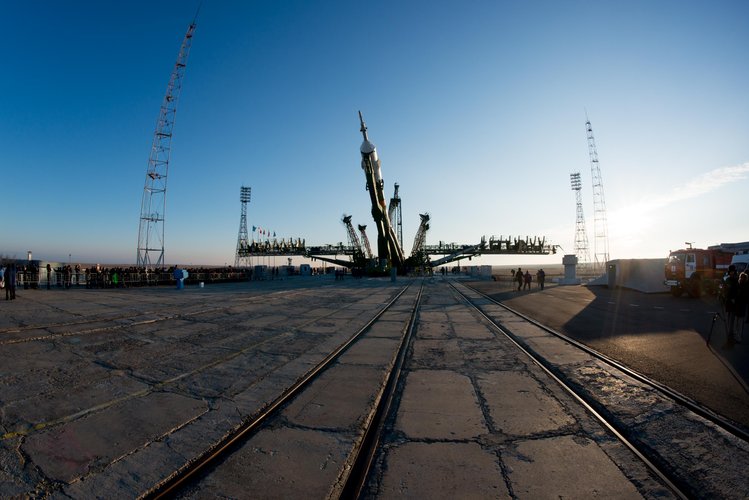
column 358, row 437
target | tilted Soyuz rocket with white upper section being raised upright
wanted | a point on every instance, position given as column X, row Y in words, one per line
column 388, row 246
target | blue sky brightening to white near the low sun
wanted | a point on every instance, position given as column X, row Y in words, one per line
column 477, row 109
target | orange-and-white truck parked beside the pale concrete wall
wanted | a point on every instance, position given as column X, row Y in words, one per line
column 696, row 271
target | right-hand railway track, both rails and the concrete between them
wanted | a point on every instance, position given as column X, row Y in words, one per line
column 688, row 446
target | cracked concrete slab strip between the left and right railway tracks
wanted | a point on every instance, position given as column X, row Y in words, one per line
column 478, row 420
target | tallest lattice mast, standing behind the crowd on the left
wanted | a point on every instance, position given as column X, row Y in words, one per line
column 153, row 204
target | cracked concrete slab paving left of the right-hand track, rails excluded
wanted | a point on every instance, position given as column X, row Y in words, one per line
column 106, row 392
